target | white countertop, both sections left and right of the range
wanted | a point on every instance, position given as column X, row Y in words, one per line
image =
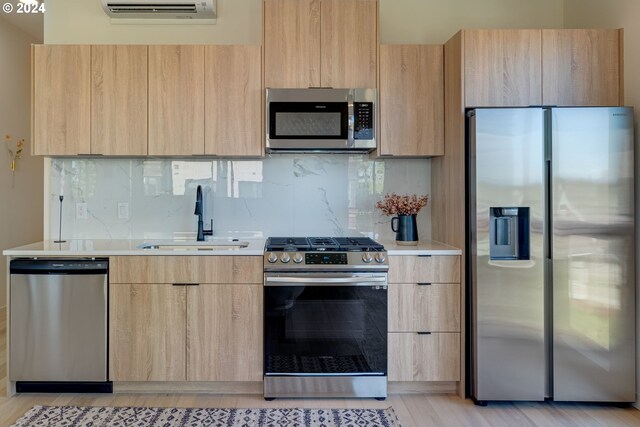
column 116, row 247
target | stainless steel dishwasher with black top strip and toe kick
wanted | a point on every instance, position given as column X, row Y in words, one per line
column 58, row 325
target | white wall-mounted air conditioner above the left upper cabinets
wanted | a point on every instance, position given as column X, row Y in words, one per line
column 161, row 9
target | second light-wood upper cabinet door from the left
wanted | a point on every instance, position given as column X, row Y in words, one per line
column 119, row 100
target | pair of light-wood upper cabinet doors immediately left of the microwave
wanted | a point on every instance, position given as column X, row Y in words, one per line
column 205, row 100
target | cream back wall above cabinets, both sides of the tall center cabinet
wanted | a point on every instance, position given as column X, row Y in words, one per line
column 240, row 21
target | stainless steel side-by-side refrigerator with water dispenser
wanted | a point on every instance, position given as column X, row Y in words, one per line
column 551, row 254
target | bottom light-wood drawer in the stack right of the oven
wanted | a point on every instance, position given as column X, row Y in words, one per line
column 432, row 357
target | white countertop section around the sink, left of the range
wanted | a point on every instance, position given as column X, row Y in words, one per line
column 97, row 247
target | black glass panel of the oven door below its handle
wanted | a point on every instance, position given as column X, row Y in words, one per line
column 339, row 330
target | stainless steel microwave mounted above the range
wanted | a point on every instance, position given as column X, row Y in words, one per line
column 321, row 120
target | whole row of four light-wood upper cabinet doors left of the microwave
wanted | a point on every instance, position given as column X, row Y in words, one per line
column 136, row 100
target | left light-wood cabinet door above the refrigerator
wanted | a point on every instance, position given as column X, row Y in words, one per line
column 502, row 68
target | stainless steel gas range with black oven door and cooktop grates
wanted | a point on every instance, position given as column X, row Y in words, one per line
column 325, row 323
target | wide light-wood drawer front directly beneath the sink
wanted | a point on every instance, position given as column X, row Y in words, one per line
column 185, row 269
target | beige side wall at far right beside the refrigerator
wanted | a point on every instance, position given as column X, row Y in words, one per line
column 618, row 14
